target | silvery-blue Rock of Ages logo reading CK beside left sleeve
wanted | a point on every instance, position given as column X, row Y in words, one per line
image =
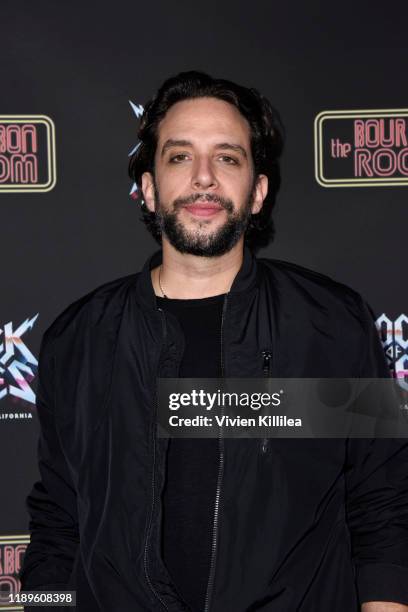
column 18, row 365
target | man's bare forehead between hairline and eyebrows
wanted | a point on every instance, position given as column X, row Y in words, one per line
column 204, row 120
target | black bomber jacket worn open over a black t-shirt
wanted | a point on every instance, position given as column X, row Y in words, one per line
column 308, row 525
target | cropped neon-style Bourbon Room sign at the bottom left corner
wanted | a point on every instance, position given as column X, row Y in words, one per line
column 12, row 549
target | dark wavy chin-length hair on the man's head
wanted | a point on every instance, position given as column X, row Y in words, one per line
column 267, row 136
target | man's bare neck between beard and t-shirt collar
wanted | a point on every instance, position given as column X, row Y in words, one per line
column 188, row 276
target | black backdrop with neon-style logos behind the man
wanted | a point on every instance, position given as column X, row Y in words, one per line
column 81, row 63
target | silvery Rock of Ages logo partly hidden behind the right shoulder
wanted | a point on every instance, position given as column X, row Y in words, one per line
column 394, row 337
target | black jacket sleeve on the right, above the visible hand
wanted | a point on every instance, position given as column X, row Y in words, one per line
column 377, row 497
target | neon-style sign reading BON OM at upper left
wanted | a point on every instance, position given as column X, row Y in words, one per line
column 27, row 153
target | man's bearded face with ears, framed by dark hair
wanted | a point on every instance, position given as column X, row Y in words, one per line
column 204, row 189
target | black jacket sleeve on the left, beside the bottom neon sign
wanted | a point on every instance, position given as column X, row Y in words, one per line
column 48, row 560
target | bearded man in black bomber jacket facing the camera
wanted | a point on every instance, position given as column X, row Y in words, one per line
column 135, row 522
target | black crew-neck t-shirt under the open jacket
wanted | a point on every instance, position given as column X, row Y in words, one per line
column 192, row 464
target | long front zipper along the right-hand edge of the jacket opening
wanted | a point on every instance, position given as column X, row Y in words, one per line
column 211, row 576
